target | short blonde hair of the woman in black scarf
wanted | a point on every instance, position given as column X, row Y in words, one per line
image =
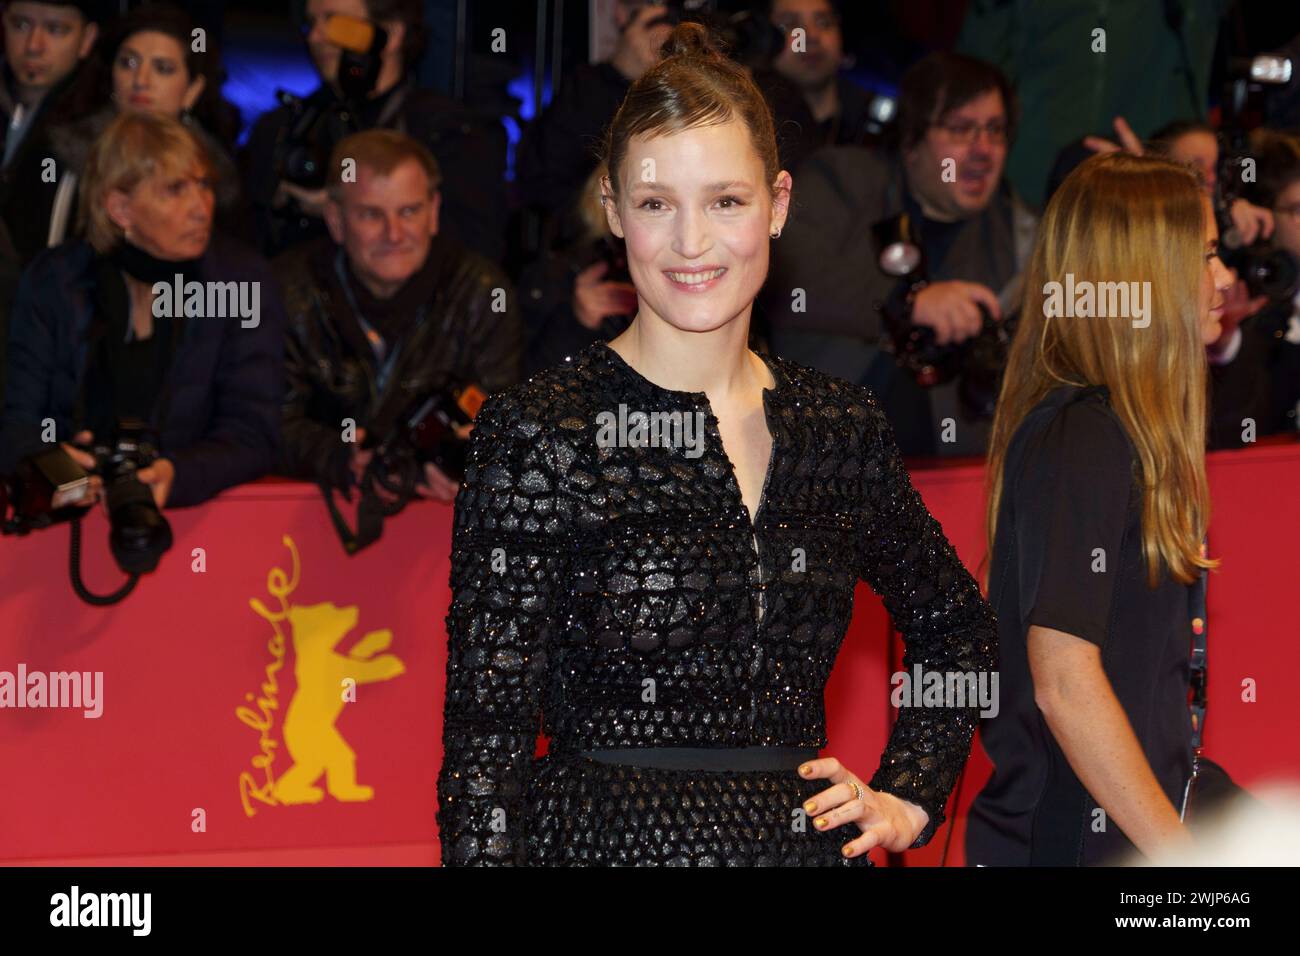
column 135, row 148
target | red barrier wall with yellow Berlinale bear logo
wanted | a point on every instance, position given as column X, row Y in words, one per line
column 216, row 717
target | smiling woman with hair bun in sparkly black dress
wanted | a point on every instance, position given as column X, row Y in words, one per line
column 669, row 609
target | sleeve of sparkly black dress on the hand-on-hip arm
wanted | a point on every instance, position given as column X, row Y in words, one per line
column 946, row 624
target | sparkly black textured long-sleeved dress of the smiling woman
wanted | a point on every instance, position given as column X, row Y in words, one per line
column 618, row 595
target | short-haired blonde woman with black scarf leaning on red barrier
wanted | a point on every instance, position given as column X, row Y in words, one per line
column 90, row 345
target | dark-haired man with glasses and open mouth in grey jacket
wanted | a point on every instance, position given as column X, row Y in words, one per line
column 956, row 118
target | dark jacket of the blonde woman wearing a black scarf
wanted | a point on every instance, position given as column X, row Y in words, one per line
column 224, row 386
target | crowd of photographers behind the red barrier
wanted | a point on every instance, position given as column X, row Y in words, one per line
column 346, row 288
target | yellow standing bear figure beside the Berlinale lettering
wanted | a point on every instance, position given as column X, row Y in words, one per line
column 311, row 737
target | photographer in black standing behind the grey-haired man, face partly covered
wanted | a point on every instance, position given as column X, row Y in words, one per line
column 363, row 89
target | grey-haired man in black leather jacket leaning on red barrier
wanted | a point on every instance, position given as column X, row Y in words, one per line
column 385, row 312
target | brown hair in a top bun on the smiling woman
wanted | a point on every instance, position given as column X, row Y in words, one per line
column 695, row 84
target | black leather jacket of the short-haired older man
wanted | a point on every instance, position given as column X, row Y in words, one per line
column 332, row 371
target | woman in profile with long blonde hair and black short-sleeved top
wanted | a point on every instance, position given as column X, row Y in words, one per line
column 1097, row 514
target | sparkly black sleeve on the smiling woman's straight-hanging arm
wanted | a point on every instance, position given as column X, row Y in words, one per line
column 509, row 570
